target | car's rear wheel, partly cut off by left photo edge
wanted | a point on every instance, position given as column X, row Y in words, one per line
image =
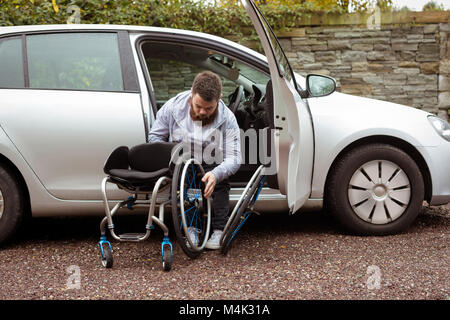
column 11, row 204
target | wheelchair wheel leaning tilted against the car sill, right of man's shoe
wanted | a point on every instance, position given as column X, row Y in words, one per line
column 242, row 211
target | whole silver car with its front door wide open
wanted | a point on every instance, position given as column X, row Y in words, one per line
column 70, row 94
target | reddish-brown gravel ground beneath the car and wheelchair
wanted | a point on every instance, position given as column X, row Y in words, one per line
column 276, row 257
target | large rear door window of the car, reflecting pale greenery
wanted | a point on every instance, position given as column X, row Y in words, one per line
column 77, row 61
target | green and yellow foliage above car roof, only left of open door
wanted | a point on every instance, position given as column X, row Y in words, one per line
column 163, row 13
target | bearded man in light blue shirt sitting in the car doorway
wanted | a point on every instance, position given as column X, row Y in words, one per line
column 199, row 117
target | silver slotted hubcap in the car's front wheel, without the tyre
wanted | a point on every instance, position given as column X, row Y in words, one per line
column 379, row 192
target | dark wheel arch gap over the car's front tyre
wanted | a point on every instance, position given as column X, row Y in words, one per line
column 395, row 142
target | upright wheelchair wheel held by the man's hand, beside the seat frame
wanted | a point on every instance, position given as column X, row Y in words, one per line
column 191, row 212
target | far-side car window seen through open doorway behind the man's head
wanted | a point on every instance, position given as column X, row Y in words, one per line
column 173, row 67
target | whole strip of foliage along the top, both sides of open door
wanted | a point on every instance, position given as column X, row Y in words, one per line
column 220, row 17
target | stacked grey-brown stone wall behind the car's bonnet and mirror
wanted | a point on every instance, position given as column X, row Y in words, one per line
column 398, row 61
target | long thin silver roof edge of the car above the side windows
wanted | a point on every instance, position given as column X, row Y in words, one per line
column 129, row 28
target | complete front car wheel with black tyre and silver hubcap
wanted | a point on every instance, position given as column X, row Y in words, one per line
column 375, row 189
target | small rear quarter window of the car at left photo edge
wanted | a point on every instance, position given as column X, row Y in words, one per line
column 11, row 64
